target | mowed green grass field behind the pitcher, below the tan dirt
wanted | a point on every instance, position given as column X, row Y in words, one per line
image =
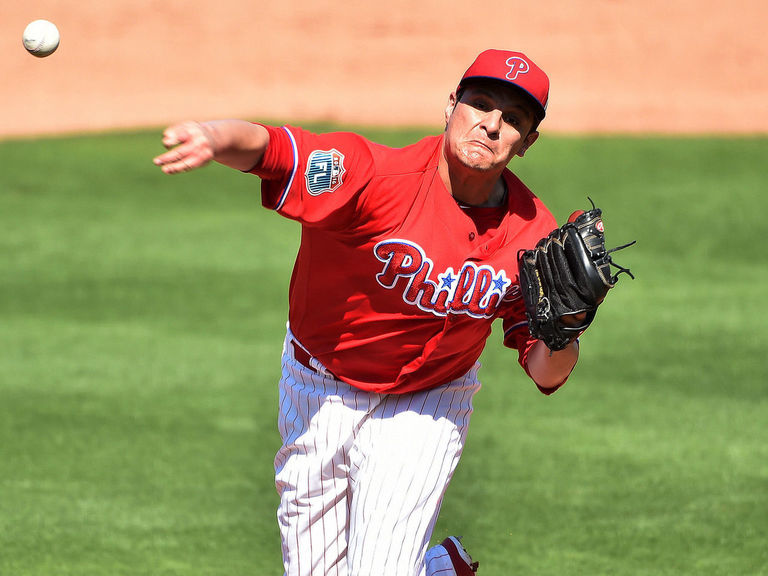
column 141, row 320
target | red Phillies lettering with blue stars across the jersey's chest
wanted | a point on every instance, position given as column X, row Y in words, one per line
column 474, row 290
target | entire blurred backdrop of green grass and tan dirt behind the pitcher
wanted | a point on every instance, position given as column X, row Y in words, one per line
column 142, row 316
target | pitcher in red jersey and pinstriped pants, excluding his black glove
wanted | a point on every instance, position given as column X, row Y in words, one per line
column 407, row 257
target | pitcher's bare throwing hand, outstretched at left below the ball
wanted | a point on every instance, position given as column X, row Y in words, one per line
column 190, row 146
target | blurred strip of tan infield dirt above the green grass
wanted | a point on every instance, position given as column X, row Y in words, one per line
column 654, row 66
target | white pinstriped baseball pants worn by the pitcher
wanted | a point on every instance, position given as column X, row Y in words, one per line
column 361, row 476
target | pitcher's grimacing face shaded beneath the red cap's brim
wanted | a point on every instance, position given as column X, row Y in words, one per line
column 488, row 126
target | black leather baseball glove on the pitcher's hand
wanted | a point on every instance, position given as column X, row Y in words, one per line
column 566, row 277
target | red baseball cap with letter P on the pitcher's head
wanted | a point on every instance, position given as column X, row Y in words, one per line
column 513, row 68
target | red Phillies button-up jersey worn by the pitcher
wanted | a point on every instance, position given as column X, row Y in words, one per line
column 394, row 288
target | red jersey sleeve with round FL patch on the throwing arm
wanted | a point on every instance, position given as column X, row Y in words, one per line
column 316, row 179
